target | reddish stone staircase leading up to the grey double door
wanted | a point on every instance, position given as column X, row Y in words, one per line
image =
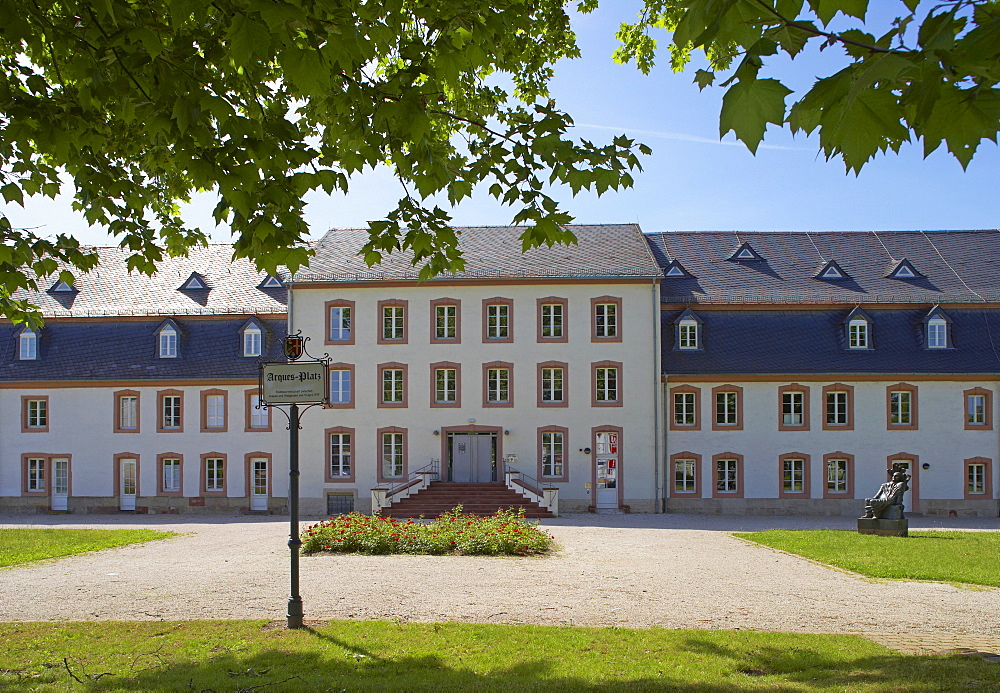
column 481, row 499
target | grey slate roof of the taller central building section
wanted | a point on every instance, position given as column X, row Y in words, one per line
column 494, row 252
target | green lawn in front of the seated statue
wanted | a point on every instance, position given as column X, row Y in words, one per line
column 964, row 557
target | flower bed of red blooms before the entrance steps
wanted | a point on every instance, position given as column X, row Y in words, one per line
column 505, row 533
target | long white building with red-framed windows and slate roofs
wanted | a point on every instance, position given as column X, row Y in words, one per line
column 675, row 372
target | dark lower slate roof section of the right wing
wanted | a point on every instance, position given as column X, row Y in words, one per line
column 748, row 342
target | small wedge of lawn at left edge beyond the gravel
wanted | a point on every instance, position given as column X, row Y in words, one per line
column 19, row 546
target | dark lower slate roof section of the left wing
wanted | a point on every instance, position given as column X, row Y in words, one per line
column 101, row 350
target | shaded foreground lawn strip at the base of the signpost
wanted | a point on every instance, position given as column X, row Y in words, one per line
column 389, row 656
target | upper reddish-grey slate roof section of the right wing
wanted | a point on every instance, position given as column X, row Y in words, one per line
column 956, row 267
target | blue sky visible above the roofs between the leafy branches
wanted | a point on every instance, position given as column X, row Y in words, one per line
column 692, row 181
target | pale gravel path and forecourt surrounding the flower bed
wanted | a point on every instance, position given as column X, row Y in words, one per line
column 674, row 571
